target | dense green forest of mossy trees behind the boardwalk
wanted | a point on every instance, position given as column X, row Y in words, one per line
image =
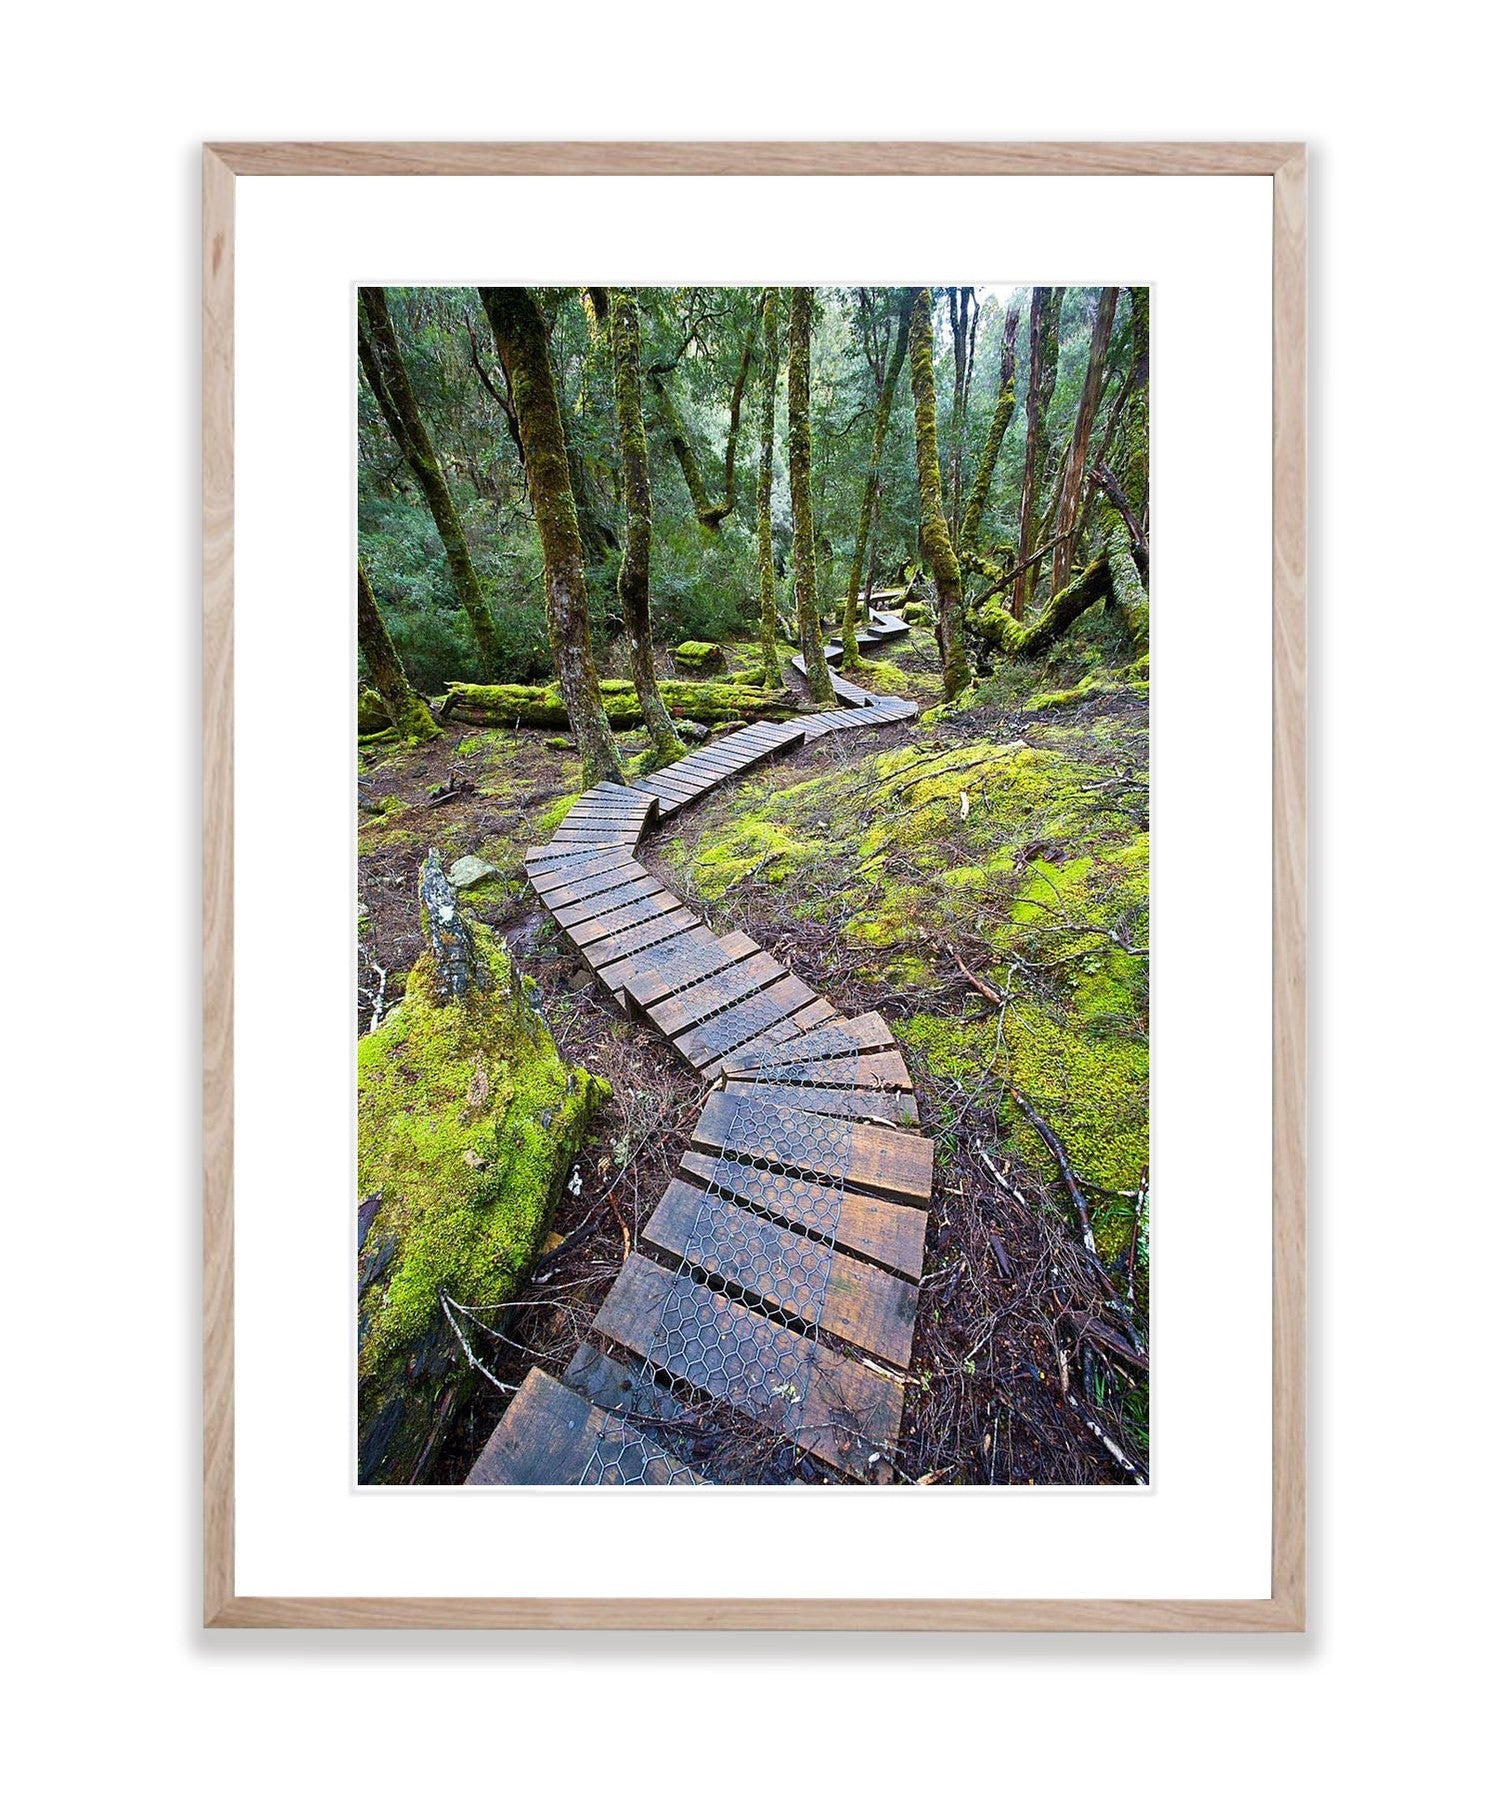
column 553, row 487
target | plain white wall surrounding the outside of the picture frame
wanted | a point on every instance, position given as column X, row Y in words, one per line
column 105, row 112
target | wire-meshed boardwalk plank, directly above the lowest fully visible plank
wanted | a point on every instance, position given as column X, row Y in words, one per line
column 794, row 1275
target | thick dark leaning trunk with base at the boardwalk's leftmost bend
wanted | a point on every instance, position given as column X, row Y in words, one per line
column 521, row 339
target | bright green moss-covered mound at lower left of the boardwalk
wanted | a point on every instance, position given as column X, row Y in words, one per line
column 469, row 1125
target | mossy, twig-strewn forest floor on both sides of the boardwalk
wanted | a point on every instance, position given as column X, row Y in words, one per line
column 1007, row 837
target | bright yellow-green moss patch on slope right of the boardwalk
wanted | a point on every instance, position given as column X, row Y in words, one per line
column 1048, row 872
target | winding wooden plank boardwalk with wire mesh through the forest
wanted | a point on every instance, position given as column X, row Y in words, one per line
column 762, row 1327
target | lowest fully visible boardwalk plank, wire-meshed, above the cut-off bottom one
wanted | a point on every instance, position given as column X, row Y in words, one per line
column 843, row 1410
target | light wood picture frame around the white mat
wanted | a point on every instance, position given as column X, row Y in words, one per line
column 1286, row 165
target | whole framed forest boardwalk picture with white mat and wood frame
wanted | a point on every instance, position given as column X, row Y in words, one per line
column 755, row 886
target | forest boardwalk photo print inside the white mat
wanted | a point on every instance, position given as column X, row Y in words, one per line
column 753, row 886
